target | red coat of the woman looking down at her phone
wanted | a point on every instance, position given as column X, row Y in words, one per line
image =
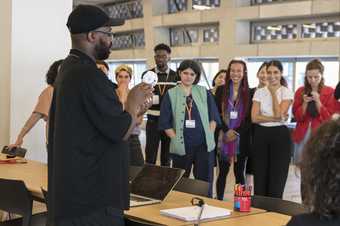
column 303, row 120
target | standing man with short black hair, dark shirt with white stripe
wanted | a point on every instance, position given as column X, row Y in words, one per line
column 167, row 79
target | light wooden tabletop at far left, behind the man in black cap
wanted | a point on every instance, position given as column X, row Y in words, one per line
column 33, row 173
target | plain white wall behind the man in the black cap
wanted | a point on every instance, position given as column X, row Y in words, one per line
column 39, row 37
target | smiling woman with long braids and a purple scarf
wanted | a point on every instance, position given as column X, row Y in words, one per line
column 233, row 104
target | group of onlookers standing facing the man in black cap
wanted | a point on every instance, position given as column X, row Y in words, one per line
column 229, row 124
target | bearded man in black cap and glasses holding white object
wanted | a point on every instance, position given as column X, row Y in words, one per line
column 88, row 152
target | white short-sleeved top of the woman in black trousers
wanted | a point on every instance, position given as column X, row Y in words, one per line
column 264, row 97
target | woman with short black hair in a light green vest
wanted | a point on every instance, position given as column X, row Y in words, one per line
column 189, row 117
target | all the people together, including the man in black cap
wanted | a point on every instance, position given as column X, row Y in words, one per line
column 93, row 126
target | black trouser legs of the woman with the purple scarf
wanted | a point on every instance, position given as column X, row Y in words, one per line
column 224, row 166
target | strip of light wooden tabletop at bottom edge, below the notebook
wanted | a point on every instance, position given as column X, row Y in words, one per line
column 261, row 219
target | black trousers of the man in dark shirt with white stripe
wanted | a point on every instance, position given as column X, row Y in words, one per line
column 153, row 137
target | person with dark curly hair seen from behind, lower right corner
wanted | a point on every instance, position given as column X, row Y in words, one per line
column 320, row 170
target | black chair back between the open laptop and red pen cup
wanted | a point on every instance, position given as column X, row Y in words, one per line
column 193, row 186
